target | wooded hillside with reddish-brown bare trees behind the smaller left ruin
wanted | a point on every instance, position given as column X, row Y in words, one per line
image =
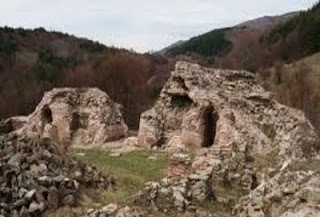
column 34, row 61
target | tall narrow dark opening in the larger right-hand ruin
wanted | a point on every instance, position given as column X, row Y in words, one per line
column 210, row 126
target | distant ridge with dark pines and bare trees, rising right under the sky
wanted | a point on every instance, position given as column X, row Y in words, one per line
column 256, row 44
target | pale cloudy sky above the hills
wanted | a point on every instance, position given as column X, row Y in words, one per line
column 141, row 25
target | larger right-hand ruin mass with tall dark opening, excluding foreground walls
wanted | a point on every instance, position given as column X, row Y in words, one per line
column 227, row 113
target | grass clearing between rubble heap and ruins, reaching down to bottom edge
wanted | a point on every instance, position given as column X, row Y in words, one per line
column 130, row 171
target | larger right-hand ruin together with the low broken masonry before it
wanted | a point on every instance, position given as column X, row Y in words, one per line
column 244, row 137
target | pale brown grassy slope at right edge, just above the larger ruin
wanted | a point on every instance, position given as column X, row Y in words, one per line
column 297, row 85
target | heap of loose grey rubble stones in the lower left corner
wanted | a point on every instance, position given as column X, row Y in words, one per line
column 35, row 174
